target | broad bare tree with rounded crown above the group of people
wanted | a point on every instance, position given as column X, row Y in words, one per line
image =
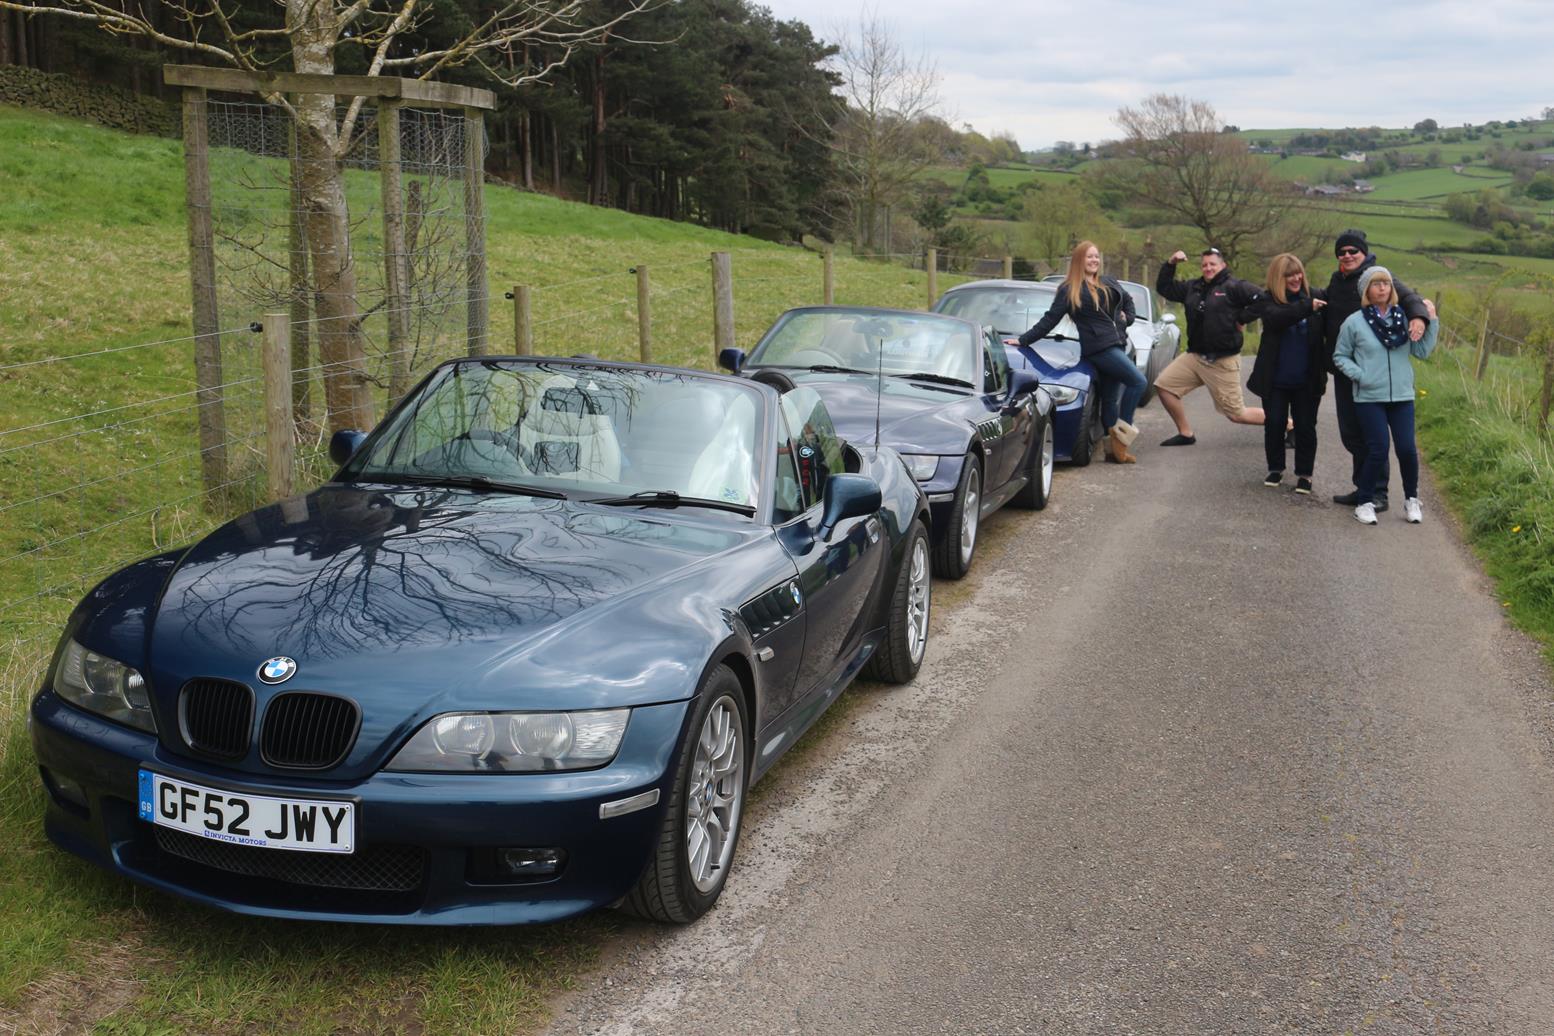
column 1177, row 159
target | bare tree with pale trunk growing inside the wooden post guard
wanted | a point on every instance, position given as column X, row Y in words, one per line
column 312, row 35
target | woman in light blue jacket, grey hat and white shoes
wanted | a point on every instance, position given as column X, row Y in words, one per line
column 1371, row 353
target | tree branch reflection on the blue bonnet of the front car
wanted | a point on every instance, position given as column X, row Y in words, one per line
column 349, row 572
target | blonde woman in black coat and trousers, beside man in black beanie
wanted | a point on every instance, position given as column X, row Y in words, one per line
column 1291, row 372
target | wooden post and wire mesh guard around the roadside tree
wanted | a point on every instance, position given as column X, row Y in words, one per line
column 354, row 204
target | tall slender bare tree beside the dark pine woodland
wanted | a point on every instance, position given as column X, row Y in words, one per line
column 887, row 136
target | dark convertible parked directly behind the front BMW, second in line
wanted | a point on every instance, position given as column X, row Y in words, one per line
column 936, row 389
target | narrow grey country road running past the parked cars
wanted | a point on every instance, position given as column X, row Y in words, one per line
column 1188, row 756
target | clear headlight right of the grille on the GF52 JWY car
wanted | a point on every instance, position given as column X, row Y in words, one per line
column 515, row 743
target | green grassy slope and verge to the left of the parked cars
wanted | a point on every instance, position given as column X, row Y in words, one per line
column 92, row 243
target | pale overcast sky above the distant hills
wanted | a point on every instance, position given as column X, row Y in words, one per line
column 1051, row 72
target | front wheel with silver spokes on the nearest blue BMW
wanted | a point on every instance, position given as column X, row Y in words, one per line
column 702, row 826
